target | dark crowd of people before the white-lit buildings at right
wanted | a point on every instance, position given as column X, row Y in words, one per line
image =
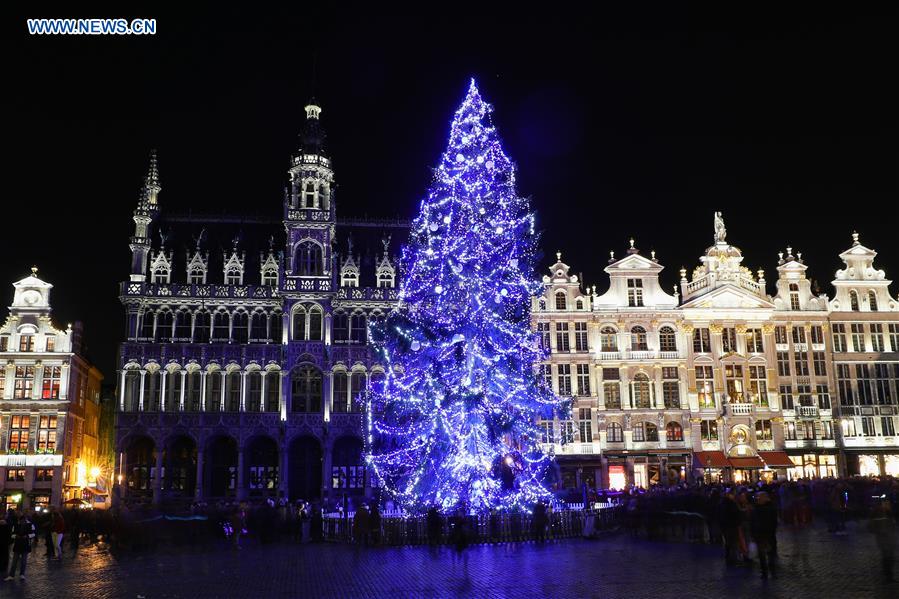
column 744, row 519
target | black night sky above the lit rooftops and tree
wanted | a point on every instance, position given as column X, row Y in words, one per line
column 620, row 126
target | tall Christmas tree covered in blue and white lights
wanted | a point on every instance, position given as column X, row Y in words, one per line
column 455, row 424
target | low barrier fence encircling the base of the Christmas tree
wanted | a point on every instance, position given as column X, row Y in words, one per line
column 482, row 528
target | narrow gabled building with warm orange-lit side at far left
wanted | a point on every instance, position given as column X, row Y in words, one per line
column 49, row 409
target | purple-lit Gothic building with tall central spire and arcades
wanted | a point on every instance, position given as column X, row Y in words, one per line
column 244, row 368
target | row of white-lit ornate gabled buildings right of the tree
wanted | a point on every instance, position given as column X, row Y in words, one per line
column 718, row 379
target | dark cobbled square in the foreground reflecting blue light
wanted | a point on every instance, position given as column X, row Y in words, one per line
column 813, row 564
